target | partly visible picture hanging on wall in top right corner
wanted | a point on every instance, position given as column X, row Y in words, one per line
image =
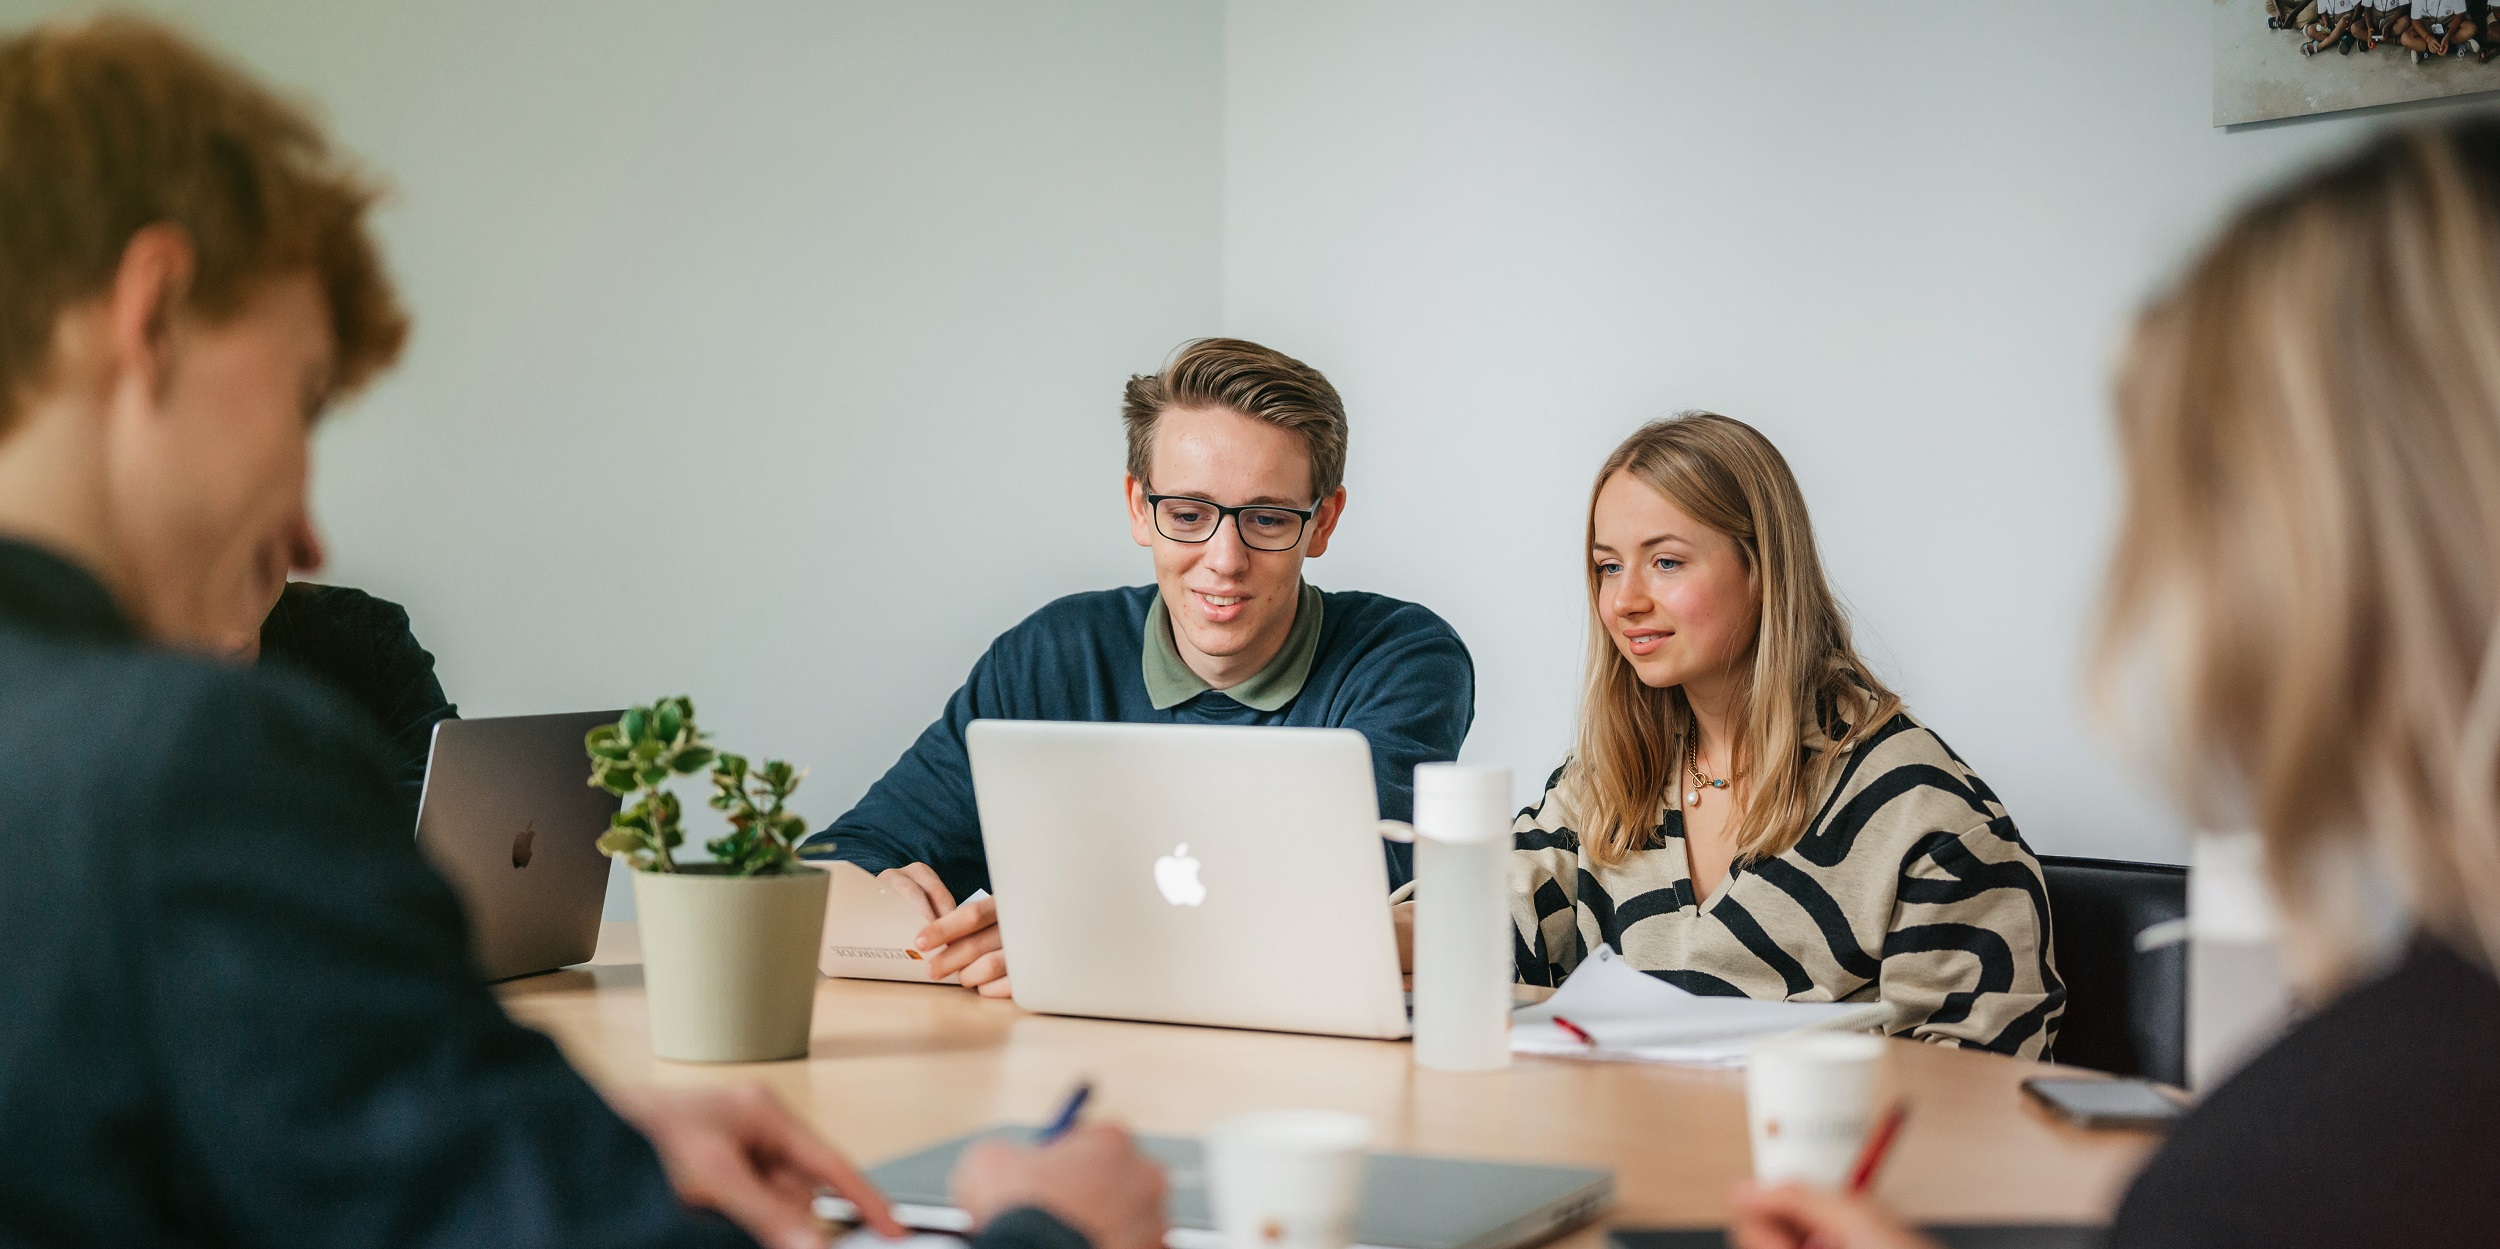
column 2289, row 59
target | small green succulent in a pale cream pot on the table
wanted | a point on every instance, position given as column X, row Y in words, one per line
column 729, row 945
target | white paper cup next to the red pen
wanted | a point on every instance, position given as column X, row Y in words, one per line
column 1811, row 1105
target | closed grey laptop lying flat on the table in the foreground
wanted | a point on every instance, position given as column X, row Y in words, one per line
column 1409, row 1203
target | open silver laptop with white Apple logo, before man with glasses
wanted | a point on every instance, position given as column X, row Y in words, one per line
column 1191, row 876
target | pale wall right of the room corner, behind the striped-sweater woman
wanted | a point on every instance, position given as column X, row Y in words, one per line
column 1899, row 239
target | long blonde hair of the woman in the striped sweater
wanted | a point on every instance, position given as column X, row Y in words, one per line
column 1804, row 678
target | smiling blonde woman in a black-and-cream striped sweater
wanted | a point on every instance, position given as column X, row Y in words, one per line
column 1749, row 811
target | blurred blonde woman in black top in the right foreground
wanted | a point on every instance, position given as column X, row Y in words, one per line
column 2311, row 566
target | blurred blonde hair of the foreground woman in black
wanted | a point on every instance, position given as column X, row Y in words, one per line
column 2311, row 541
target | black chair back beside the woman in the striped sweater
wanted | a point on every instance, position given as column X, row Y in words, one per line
column 2126, row 1008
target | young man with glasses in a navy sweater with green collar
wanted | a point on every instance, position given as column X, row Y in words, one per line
column 1236, row 466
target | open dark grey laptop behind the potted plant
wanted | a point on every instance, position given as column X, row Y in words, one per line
column 511, row 821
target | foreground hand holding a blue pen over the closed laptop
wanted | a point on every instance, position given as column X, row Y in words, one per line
column 1094, row 1180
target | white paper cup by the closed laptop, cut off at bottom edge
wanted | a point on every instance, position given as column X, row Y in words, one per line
column 1289, row 1180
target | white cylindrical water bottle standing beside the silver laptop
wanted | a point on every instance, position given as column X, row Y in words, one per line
column 1461, row 918
